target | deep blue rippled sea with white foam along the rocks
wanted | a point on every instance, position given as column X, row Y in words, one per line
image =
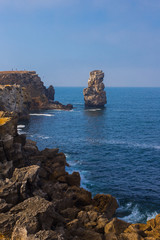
column 115, row 149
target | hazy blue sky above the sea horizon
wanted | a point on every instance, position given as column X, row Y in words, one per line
column 63, row 40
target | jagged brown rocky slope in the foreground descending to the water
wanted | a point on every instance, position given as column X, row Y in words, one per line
column 39, row 200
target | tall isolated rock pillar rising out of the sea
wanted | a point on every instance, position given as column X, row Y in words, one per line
column 94, row 95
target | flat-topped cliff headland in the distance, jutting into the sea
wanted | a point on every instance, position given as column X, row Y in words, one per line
column 26, row 92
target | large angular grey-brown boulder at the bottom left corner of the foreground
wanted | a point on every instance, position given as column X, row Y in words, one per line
column 29, row 217
